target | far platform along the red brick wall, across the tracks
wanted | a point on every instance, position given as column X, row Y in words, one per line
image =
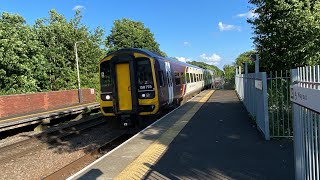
column 36, row 117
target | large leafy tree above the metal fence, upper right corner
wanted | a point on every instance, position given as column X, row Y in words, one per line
column 287, row 32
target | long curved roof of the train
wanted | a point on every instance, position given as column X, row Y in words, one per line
column 154, row 55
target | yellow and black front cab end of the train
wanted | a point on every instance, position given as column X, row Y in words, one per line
column 128, row 83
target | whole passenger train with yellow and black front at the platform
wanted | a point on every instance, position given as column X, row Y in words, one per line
column 139, row 83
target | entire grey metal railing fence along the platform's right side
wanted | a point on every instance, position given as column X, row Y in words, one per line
column 294, row 111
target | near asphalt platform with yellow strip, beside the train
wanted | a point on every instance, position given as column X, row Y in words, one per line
column 210, row 137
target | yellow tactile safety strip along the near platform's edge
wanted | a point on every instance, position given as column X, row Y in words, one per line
column 142, row 165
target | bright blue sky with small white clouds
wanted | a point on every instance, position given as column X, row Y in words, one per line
column 212, row 31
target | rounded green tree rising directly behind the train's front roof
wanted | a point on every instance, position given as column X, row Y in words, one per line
column 127, row 33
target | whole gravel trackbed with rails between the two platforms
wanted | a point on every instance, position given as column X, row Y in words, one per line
column 45, row 150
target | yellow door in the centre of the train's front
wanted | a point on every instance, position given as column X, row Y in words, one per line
column 124, row 86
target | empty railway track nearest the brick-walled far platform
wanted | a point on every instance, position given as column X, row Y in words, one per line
column 51, row 137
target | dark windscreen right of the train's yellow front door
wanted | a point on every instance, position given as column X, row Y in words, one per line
column 144, row 72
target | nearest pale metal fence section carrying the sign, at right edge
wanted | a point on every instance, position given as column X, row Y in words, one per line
column 306, row 121
